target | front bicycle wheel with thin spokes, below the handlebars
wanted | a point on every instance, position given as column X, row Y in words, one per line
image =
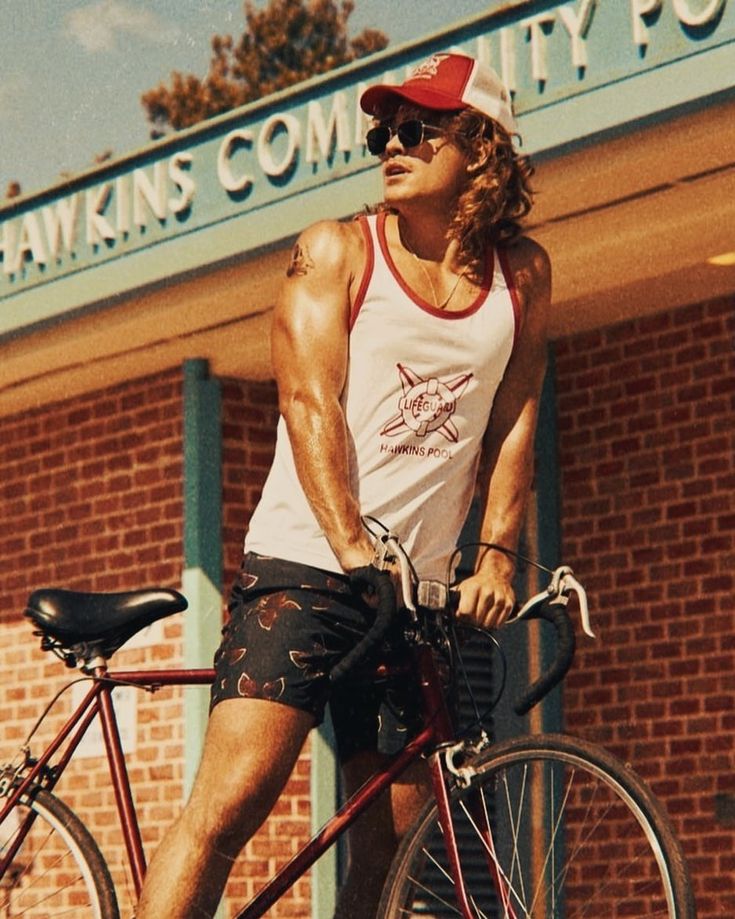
column 548, row 828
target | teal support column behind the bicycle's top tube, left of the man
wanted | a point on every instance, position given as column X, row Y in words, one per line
column 201, row 580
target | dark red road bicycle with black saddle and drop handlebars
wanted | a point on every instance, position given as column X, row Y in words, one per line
column 540, row 827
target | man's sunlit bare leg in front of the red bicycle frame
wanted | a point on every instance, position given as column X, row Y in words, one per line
column 249, row 752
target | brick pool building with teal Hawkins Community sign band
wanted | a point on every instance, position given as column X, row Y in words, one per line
column 138, row 408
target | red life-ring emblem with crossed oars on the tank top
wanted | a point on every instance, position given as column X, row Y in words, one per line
column 427, row 405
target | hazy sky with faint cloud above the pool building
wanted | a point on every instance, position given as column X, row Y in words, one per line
column 72, row 71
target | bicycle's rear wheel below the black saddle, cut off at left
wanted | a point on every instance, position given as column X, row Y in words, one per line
column 58, row 869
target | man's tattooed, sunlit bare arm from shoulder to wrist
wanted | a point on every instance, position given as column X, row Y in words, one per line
column 309, row 349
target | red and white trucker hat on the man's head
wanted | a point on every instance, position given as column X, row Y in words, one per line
column 447, row 82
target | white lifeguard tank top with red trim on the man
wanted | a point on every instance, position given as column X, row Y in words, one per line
column 419, row 391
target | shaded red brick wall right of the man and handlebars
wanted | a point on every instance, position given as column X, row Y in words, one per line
column 647, row 441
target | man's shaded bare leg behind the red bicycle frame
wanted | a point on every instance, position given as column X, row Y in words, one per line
column 374, row 838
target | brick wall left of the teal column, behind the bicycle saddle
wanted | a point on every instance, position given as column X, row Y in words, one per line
column 90, row 499
